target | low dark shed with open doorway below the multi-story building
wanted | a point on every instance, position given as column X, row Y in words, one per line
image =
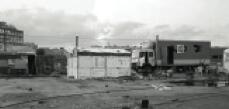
column 18, row 63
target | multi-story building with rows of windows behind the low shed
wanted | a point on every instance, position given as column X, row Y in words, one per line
column 10, row 35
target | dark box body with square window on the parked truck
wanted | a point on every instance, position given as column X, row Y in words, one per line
column 182, row 53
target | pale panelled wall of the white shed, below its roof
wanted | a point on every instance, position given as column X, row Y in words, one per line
column 99, row 66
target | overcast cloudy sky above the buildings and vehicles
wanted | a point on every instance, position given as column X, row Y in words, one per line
column 56, row 22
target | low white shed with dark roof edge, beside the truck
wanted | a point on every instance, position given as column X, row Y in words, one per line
column 92, row 63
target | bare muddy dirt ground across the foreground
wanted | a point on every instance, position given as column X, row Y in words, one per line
column 59, row 93
